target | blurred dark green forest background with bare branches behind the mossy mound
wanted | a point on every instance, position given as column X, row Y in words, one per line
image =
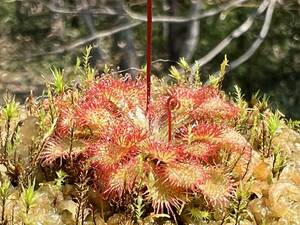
column 260, row 37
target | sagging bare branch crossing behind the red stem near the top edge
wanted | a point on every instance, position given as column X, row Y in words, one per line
column 178, row 19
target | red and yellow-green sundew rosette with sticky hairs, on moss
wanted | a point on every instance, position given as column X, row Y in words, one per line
column 186, row 146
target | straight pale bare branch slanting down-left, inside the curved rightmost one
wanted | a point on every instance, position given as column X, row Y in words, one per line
column 233, row 35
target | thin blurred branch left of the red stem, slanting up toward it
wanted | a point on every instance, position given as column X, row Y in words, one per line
column 88, row 39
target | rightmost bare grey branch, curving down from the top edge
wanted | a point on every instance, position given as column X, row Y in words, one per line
column 263, row 33
